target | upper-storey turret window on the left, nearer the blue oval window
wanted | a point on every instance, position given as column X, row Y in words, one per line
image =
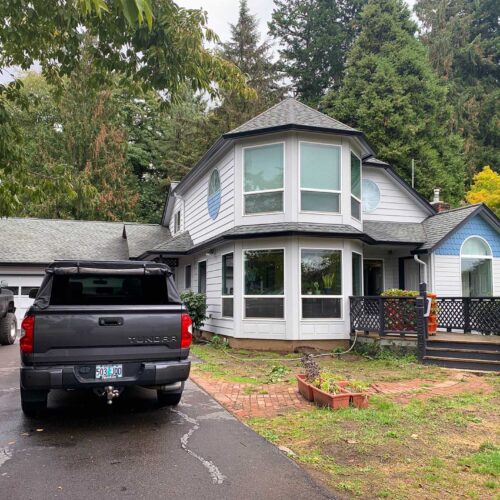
column 263, row 168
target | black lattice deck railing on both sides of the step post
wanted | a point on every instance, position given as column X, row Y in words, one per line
column 397, row 315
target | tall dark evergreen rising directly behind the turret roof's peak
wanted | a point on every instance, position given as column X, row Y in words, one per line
column 314, row 37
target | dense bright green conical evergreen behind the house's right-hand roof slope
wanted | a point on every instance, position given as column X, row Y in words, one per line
column 391, row 93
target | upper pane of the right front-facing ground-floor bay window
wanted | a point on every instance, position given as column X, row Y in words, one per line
column 321, row 272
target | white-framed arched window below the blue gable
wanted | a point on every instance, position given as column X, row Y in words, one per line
column 476, row 260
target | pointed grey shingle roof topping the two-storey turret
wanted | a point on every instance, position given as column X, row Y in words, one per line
column 290, row 112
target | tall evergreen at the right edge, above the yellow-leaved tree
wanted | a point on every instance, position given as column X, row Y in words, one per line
column 464, row 49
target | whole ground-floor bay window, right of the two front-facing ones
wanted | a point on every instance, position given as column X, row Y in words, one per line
column 321, row 283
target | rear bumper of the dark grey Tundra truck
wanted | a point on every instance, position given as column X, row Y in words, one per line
column 71, row 377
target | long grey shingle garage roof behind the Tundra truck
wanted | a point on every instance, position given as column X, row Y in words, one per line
column 42, row 241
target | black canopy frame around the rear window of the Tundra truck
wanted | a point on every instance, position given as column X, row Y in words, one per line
column 127, row 267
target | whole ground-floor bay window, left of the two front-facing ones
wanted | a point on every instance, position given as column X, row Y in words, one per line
column 264, row 283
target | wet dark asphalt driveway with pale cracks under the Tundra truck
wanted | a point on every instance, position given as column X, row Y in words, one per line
column 84, row 449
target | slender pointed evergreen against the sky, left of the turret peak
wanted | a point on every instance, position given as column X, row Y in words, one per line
column 254, row 59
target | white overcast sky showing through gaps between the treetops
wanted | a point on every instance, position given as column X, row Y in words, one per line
column 220, row 14
